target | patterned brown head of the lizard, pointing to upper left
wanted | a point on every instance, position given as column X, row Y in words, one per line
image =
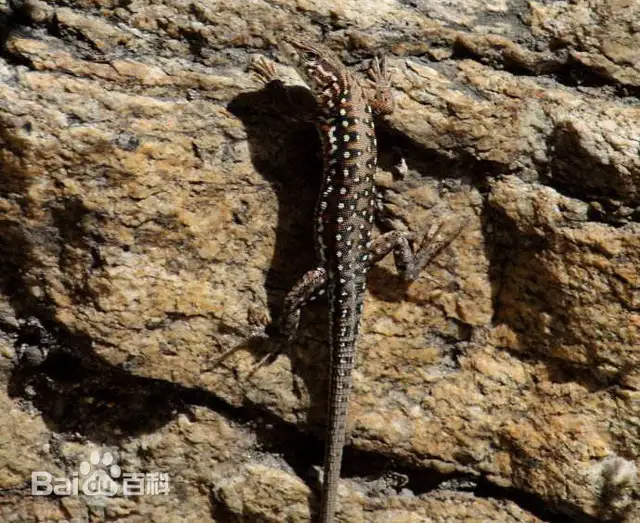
column 319, row 68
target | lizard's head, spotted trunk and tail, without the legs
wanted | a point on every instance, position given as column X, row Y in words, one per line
column 343, row 229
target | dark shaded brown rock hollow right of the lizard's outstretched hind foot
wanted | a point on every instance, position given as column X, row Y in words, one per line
column 529, row 299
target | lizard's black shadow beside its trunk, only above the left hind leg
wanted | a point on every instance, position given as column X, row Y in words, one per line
column 286, row 152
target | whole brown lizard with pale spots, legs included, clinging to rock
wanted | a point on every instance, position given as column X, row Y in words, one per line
column 344, row 218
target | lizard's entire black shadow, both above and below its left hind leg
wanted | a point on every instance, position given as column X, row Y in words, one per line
column 285, row 150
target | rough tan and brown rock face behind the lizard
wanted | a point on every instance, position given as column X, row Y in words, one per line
column 156, row 205
